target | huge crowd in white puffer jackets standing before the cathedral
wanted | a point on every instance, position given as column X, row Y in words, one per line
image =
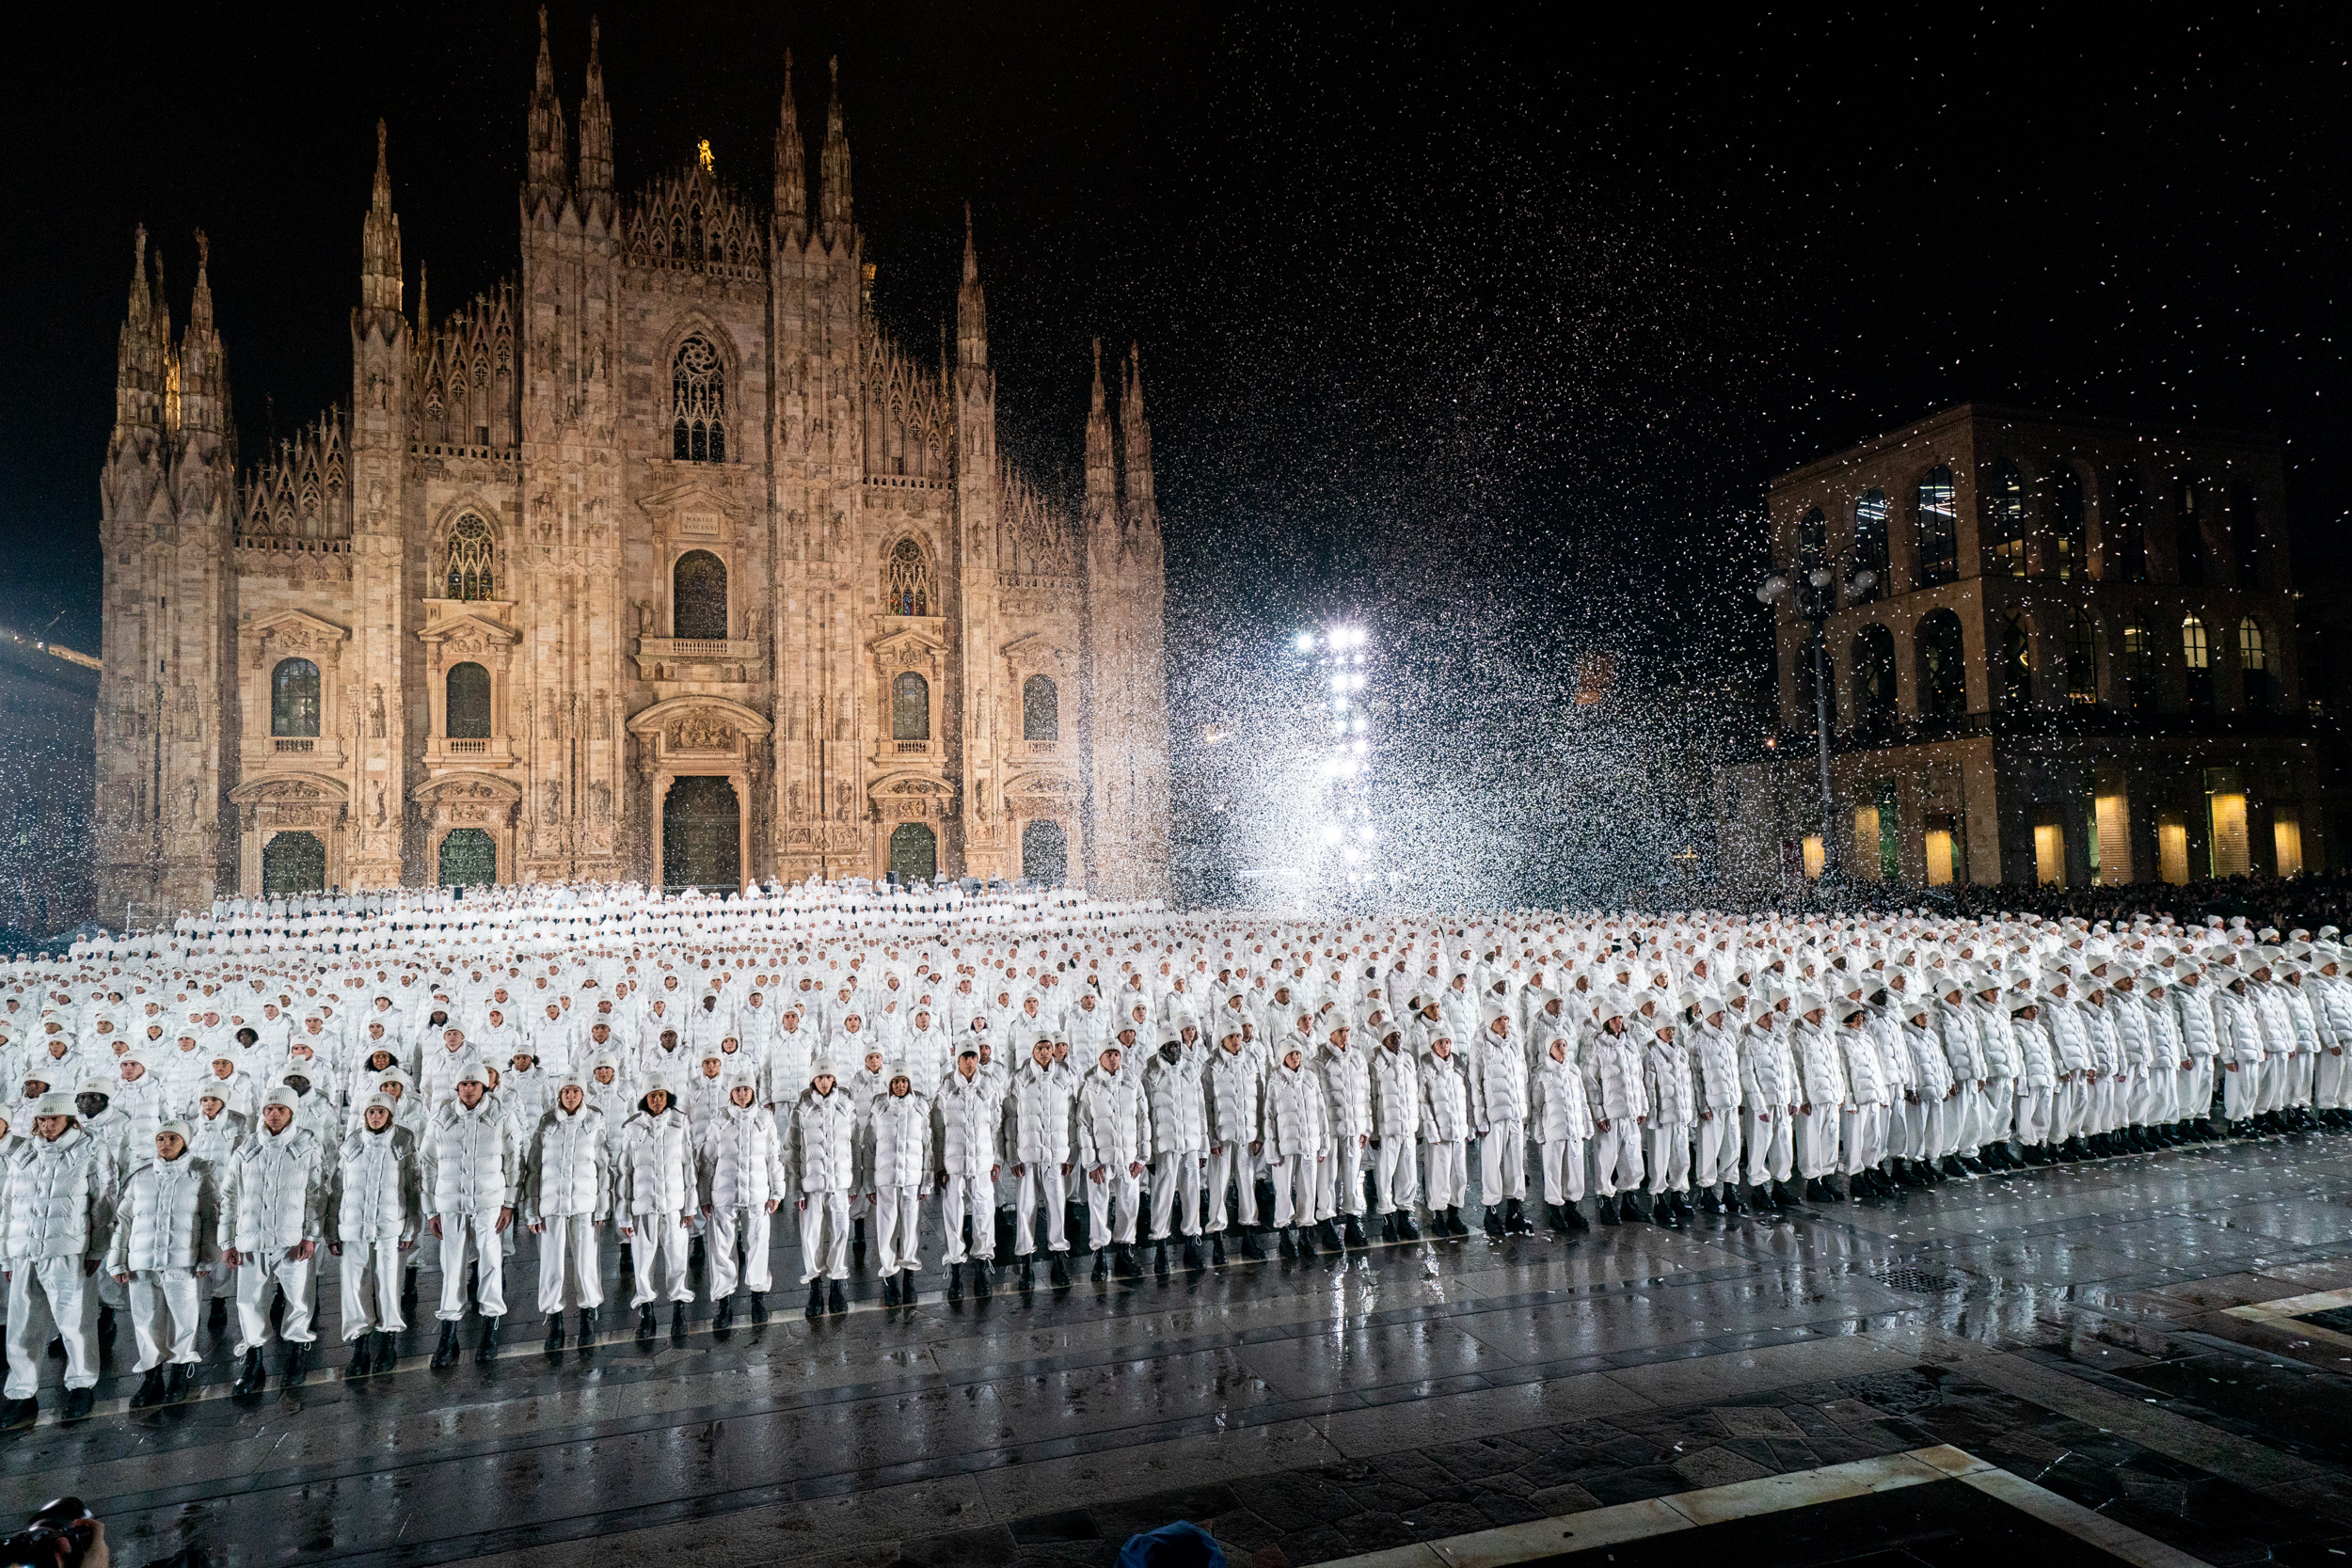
column 203, row 1118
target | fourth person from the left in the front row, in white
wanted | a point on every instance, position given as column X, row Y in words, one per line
column 375, row 1217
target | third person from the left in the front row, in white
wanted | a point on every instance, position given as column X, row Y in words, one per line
column 272, row 1226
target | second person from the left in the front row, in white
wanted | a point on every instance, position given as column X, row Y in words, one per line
column 166, row 1245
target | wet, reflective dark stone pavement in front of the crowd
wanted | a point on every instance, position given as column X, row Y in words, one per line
column 2071, row 1327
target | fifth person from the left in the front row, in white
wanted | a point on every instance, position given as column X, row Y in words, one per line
column 472, row 1167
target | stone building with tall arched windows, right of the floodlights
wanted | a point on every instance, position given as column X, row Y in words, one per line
column 2078, row 664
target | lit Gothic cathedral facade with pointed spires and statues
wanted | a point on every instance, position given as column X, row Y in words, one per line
column 660, row 563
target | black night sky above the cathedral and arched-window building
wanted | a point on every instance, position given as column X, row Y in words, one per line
column 1457, row 319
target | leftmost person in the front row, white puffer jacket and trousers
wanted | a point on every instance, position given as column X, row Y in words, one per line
column 58, row 1212
